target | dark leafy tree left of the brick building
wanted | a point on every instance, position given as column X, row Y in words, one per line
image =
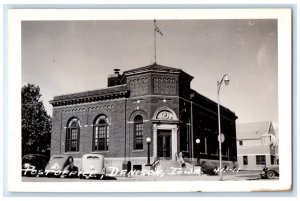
column 36, row 123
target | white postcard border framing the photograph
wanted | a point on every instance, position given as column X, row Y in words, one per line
column 15, row 17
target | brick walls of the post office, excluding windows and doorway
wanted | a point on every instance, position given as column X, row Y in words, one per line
column 146, row 97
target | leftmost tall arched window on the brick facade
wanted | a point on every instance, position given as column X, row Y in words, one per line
column 73, row 135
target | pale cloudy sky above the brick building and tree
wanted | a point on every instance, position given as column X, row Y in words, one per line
column 63, row 57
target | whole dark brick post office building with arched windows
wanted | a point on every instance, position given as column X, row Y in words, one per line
column 153, row 101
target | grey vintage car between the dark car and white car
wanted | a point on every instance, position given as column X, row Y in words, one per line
column 61, row 166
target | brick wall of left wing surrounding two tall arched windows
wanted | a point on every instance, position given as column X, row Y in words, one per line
column 87, row 113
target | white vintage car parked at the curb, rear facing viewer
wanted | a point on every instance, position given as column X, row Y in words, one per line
column 92, row 166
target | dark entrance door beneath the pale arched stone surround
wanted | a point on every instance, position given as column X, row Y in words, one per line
column 164, row 144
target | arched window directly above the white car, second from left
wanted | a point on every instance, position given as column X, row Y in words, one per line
column 101, row 134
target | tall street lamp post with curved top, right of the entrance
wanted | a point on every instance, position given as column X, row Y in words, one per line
column 226, row 80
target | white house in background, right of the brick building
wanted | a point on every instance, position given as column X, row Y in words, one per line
column 257, row 145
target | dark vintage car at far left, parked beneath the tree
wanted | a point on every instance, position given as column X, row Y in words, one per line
column 32, row 164
